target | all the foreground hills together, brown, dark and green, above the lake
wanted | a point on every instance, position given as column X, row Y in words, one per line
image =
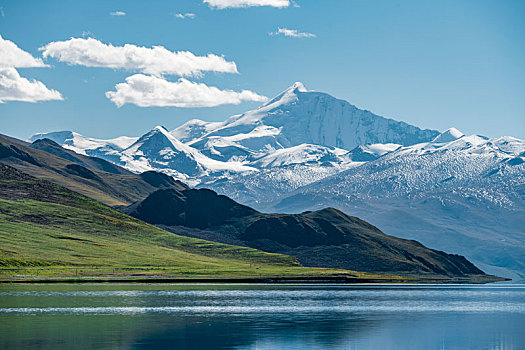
column 33, row 224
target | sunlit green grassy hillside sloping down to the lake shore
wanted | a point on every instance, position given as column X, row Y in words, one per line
column 46, row 229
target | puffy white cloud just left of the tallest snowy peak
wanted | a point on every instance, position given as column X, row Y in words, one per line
column 151, row 91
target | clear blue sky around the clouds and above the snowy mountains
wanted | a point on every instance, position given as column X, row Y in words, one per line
column 434, row 64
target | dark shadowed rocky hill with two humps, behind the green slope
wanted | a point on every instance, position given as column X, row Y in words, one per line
column 324, row 238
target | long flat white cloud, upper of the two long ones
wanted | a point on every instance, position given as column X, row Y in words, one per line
column 156, row 60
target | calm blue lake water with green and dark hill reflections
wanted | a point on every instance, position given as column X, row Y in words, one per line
column 262, row 316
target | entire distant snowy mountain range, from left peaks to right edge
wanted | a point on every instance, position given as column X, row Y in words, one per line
column 306, row 150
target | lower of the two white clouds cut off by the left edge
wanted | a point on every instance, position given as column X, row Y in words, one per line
column 13, row 87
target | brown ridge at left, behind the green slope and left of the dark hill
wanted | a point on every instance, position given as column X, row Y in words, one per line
column 90, row 176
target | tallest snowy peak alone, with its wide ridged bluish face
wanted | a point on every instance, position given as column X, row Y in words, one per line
column 299, row 116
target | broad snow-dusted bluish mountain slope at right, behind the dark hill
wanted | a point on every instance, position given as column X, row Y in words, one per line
column 465, row 196
